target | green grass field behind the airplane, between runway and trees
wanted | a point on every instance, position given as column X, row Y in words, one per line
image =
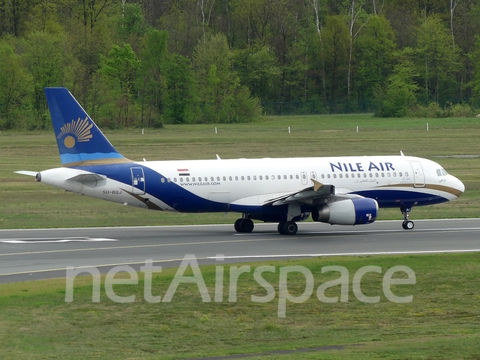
column 27, row 204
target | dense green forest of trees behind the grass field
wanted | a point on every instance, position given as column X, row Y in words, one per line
column 150, row 62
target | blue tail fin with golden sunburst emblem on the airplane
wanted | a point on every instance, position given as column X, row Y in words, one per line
column 79, row 140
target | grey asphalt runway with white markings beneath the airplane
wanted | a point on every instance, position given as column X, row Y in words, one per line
column 46, row 253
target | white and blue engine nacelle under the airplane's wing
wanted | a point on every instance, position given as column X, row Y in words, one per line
column 347, row 212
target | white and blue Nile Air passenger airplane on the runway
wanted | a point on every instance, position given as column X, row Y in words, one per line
column 334, row 190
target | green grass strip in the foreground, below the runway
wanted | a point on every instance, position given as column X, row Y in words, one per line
column 441, row 322
